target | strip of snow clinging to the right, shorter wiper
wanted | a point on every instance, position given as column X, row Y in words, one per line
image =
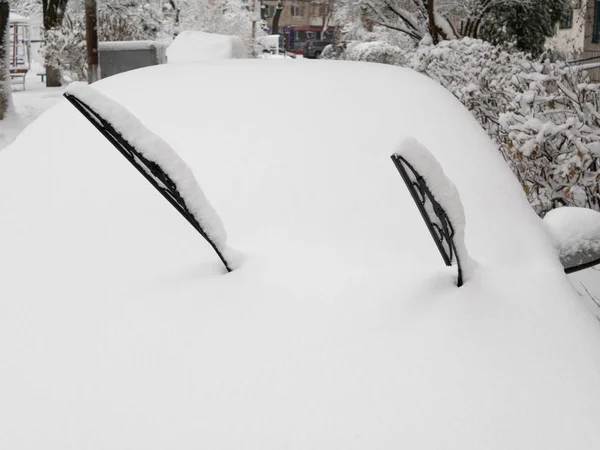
column 445, row 193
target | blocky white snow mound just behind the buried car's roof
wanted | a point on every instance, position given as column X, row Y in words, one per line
column 197, row 46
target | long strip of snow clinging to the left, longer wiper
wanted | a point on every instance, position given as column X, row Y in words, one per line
column 157, row 150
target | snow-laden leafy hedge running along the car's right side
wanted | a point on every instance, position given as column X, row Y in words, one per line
column 544, row 116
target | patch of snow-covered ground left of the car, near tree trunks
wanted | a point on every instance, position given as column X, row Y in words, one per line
column 29, row 104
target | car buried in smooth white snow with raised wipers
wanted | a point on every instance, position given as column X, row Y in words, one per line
column 339, row 327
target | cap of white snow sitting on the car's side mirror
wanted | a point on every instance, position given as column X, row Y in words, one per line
column 574, row 229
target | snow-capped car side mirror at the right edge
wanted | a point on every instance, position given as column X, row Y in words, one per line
column 576, row 235
